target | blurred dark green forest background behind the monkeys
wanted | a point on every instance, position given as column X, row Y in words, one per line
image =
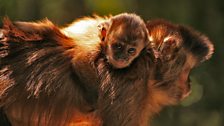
column 205, row 106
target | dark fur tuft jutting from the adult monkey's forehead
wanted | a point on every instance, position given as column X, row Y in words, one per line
column 198, row 44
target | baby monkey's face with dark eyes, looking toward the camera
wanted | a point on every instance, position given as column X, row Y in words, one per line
column 124, row 45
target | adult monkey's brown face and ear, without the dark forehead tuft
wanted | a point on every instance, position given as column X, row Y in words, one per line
column 176, row 62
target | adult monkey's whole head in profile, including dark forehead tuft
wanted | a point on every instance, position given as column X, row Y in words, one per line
column 180, row 49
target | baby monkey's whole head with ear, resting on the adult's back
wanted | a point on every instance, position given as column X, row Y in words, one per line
column 123, row 36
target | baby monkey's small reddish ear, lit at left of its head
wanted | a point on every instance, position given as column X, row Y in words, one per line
column 103, row 28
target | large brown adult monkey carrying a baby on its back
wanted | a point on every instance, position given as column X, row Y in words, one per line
column 61, row 77
